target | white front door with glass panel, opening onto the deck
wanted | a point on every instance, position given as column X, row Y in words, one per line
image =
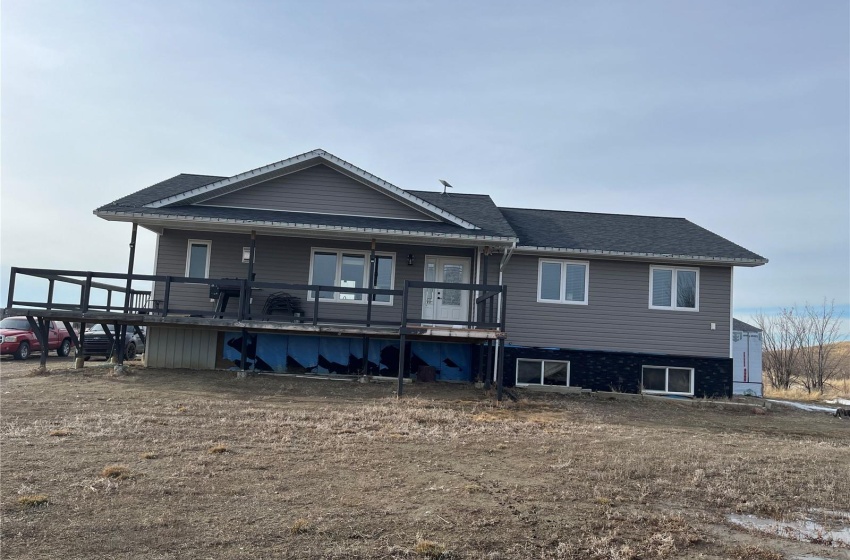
column 442, row 304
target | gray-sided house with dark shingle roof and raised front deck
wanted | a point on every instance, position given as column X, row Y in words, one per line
column 416, row 282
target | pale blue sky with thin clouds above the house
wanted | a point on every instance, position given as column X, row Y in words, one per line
column 734, row 115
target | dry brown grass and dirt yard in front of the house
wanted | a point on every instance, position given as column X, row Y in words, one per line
column 332, row 469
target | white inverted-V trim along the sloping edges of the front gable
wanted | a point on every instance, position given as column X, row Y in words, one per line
column 203, row 193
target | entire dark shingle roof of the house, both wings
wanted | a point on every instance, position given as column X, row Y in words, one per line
column 583, row 231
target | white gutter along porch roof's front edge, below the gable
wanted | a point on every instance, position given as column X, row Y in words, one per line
column 169, row 220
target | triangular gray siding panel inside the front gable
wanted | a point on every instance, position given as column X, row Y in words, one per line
column 318, row 189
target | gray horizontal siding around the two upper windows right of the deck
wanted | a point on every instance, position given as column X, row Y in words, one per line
column 617, row 317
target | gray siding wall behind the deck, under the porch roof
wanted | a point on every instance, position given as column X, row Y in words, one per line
column 286, row 260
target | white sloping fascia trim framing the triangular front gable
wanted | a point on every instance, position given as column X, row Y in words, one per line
column 371, row 180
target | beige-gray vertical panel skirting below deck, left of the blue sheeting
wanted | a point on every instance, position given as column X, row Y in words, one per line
column 180, row 348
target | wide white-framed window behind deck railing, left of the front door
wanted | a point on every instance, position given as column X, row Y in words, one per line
column 350, row 269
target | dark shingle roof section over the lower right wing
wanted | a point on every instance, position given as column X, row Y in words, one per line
column 620, row 233
